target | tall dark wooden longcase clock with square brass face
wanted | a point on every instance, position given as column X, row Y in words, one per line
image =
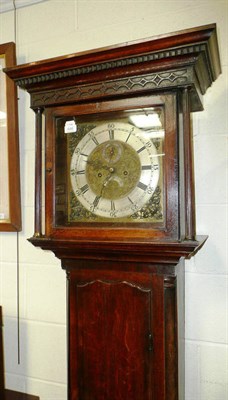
column 119, row 203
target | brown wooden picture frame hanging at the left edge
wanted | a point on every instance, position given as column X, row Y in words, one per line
column 10, row 203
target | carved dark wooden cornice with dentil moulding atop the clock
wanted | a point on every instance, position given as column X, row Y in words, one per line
column 188, row 58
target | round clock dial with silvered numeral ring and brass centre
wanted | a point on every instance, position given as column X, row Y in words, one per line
column 114, row 170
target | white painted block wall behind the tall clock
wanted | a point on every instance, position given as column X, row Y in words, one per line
column 58, row 27
